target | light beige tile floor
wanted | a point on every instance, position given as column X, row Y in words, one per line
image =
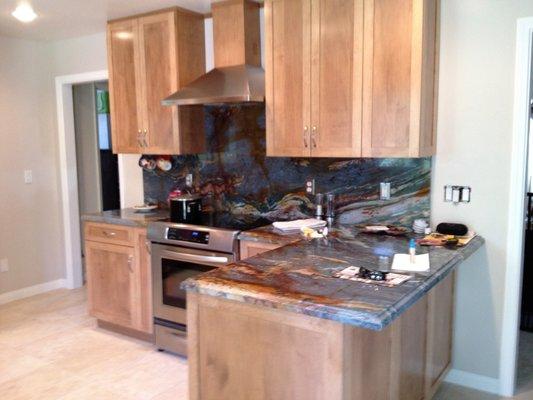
column 50, row 349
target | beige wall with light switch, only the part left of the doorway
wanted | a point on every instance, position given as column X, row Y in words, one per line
column 30, row 234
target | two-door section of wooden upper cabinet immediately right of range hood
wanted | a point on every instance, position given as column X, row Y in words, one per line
column 314, row 77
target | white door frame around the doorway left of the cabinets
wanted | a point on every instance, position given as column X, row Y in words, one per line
column 69, row 176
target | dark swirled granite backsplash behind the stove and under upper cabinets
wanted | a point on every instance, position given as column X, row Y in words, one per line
column 236, row 176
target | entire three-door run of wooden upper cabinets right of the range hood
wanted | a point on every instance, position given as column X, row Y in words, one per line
column 350, row 78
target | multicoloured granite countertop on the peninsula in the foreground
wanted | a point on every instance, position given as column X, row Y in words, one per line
column 299, row 277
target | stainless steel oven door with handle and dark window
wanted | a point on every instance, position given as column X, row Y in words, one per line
column 171, row 265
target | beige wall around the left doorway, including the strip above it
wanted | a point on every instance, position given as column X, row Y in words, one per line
column 31, row 231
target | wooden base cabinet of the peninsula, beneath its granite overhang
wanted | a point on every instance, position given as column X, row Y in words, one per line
column 262, row 353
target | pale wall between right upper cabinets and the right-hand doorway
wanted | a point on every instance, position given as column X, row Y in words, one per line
column 474, row 146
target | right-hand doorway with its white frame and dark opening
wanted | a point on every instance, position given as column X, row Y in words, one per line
column 516, row 351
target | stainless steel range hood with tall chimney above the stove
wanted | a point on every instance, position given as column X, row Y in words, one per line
column 237, row 76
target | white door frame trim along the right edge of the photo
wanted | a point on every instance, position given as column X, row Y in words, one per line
column 517, row 206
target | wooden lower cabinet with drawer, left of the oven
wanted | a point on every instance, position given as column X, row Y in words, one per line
column 119, row 280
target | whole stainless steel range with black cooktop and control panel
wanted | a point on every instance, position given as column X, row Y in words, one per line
column 181, row 251
